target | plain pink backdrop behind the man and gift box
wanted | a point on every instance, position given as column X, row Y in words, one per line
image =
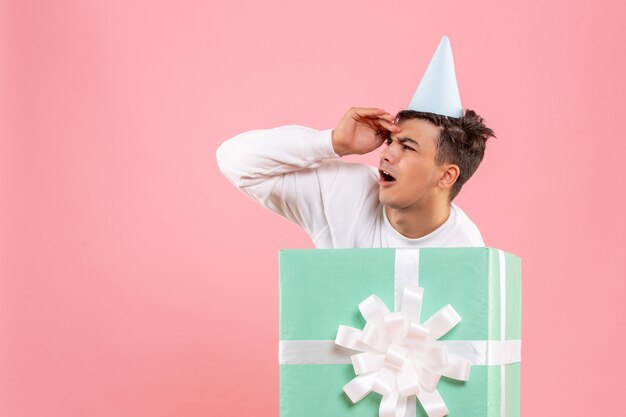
column 135, row 281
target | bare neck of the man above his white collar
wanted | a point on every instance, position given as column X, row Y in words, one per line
column 416, row 222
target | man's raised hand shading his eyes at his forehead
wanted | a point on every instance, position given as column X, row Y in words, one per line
column 361, row 130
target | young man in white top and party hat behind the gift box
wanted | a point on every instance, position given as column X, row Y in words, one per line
column 431, row 150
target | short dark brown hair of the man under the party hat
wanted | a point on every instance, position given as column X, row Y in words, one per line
column 461, row 141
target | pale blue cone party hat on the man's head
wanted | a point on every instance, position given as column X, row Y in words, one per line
column 438, row 91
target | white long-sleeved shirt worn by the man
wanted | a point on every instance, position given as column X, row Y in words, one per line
column 294, row 171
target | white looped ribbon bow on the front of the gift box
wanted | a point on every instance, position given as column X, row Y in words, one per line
column 401, row 357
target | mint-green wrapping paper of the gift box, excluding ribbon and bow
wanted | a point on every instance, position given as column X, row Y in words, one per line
column 321, row 289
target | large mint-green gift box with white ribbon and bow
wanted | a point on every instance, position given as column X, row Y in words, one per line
column 325, row 293
